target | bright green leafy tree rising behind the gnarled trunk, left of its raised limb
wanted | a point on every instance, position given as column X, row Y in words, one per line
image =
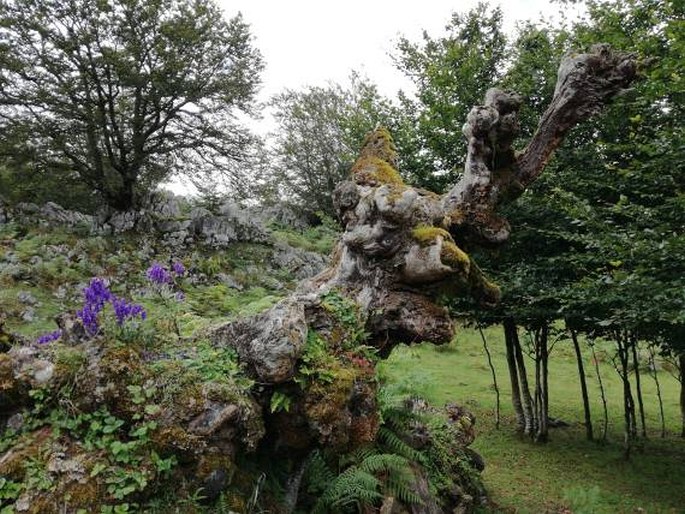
column 451, row 74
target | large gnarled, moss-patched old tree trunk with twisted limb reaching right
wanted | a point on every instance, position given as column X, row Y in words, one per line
column 401, row 249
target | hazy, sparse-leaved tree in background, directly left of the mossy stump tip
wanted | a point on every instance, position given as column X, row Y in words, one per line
column 319, row 132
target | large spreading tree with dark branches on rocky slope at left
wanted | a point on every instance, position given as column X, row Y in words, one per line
column 124, row 94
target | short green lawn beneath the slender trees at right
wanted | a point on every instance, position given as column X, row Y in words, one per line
column 569, row 471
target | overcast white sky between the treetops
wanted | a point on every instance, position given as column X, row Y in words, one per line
column 310, row 42
